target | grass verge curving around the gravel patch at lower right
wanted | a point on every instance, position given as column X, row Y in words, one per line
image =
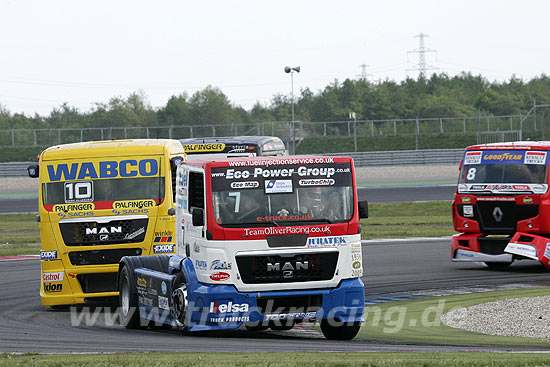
column 418, row 321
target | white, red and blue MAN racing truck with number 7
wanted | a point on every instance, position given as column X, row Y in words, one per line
column 263, row 242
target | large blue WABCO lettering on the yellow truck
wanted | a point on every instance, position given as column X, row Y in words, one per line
column 104, row 169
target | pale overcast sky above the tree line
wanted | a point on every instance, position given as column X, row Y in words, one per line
column 81, row 52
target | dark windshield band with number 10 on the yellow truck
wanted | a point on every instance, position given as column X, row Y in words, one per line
column 138, row 188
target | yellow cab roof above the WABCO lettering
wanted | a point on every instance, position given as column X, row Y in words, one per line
column 117, row 148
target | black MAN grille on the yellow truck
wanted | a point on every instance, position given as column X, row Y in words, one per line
column 116, row 231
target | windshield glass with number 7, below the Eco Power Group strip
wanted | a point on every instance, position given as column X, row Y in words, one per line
column 311, row 204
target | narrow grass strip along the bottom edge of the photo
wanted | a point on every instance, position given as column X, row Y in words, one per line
column 279, row 359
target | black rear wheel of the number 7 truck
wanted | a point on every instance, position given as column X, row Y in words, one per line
column 129, row 313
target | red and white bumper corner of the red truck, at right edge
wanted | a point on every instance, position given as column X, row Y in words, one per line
column 530, row 246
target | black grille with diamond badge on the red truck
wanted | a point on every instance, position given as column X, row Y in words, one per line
column 501, row 216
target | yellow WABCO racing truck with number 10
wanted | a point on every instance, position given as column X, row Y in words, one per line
column 98, row 202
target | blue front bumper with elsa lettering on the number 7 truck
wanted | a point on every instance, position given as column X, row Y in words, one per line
column 210, row 303
